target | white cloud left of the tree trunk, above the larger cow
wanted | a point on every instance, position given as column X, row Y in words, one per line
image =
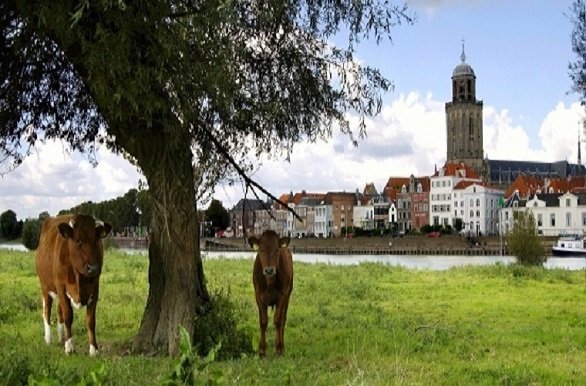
column 52, row 179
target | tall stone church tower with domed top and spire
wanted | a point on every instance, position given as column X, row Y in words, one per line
column 464, row 119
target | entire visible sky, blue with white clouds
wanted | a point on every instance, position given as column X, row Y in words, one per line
column 518, row 49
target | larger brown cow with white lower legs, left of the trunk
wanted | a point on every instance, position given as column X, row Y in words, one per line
column 69, row 262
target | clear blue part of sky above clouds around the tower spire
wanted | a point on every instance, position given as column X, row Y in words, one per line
column 519, row 50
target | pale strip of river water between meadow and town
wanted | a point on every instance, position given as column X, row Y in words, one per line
column 435, row 262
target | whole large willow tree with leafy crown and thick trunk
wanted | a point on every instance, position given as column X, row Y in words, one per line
column 187, row 89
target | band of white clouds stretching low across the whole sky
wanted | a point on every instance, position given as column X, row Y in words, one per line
column 408, row 137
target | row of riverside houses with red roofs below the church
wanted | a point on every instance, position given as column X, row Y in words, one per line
column 453, row 197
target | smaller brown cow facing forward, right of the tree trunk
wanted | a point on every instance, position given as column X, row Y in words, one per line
column 273, row 282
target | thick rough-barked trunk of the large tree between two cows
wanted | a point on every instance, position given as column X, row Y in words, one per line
column 177, row 288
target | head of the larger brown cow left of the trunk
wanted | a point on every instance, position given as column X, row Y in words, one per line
column 84, row 235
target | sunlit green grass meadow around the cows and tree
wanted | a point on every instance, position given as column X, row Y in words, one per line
column 348, row 325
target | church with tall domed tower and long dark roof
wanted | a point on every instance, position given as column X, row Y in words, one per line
column 465, row 138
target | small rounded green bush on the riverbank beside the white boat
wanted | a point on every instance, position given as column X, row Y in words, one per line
column 523, row 240
